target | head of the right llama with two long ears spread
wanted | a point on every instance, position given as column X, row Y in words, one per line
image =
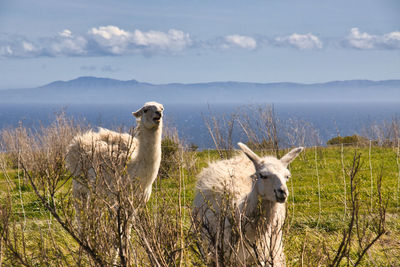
column 271, row 174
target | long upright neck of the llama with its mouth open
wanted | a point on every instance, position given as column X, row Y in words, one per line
column 146, row 156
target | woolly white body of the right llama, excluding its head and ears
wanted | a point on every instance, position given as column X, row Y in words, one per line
column 232, row 177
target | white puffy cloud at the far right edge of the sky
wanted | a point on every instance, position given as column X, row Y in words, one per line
column 365, row 41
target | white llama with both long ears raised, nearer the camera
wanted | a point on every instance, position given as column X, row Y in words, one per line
column 250, row 232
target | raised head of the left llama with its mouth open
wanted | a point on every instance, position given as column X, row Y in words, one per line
column 150, row 115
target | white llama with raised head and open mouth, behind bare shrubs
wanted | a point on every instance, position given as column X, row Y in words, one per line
column 121, row 169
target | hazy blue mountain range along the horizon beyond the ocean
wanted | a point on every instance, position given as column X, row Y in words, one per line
column 104, row 90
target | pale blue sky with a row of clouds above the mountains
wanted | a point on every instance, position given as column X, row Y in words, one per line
column 198, row 40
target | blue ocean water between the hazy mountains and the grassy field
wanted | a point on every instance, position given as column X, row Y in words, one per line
column 330, row 119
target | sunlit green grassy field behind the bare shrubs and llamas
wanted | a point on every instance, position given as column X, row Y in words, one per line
column 318, row 209
